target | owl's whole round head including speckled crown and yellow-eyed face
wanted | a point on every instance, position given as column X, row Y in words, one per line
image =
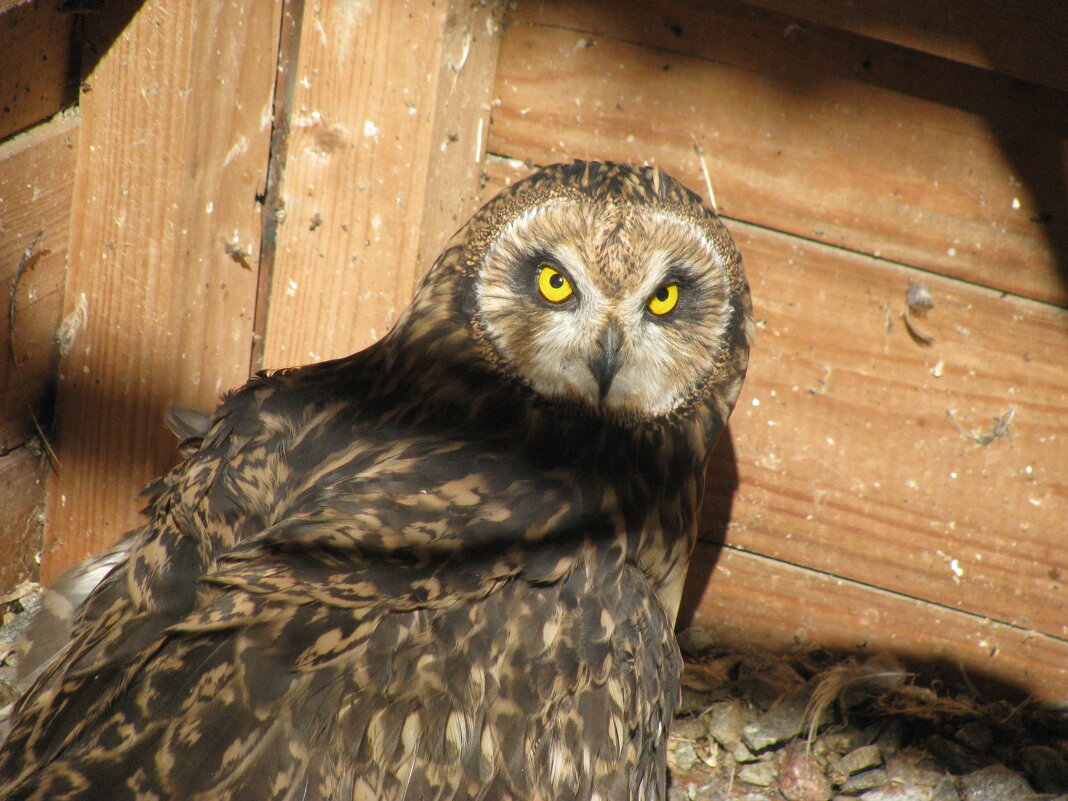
column 606, row 287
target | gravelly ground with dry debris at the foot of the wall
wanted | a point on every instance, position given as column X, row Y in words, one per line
column 816, row 728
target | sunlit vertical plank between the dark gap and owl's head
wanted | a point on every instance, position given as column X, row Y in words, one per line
column 382, row 163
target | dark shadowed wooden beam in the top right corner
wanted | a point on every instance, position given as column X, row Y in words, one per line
column 1025, row 39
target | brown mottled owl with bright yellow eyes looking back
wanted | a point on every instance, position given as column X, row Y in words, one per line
column 445, row 568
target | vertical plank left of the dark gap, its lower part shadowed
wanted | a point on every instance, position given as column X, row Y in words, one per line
column 172, row 155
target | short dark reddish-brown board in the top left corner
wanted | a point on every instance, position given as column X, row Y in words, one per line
column 35, row 64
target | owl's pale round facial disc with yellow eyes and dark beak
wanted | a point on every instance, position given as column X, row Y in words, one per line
column 621, row 309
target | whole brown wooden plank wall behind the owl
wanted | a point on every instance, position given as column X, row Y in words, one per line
column 260, row 183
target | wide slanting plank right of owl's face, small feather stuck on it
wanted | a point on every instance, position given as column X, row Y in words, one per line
column 846, row 461
